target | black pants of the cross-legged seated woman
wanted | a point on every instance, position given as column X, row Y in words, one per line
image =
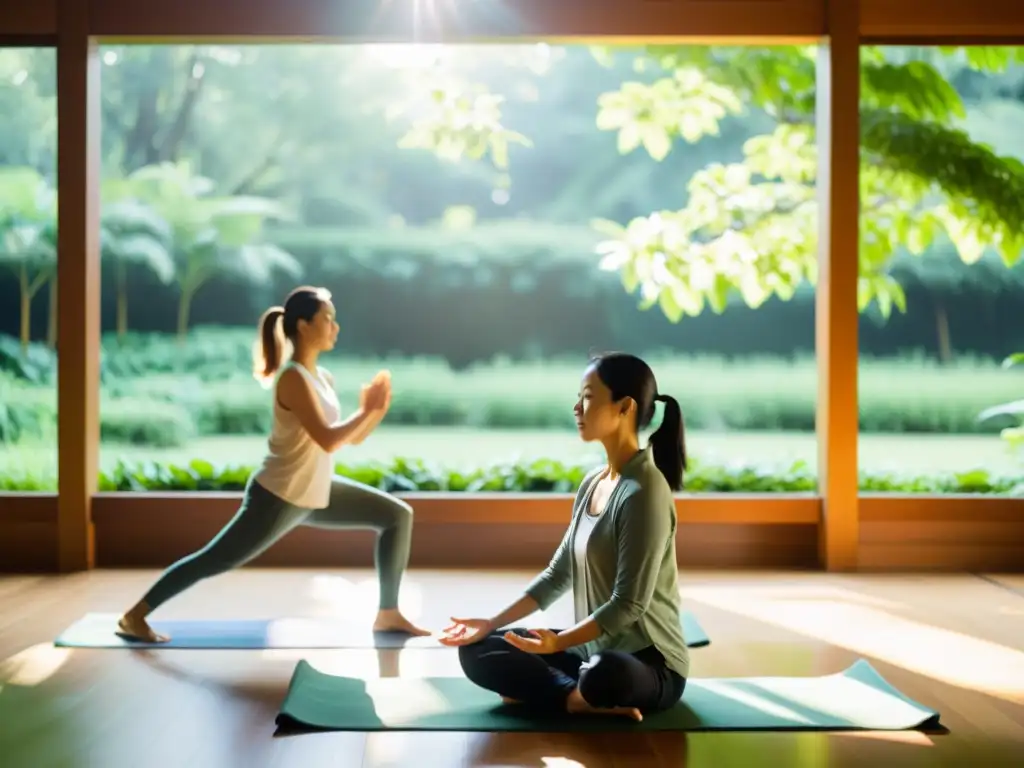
column 607, row 679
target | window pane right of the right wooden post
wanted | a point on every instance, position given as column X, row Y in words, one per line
column 942, row 241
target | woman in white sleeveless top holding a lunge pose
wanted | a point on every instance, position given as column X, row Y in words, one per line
column 295, row 486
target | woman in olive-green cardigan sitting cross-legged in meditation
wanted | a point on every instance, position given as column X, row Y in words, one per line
column 626, row 655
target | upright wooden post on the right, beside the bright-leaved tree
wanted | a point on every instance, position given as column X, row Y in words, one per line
column 837, row 316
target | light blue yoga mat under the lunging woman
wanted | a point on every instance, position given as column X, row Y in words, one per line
column 98, row 631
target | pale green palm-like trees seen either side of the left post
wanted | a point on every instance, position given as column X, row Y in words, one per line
column 164, row 218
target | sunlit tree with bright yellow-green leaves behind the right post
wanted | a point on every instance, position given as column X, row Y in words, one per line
column 750, row 228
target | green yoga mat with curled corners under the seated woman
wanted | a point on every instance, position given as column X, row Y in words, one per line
column 856, row 700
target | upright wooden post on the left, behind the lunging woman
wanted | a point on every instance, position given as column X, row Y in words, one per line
column 78, row 284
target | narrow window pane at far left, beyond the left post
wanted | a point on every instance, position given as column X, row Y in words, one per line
column 28, row 270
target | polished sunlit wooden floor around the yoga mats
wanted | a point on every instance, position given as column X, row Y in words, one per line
column 955, row 644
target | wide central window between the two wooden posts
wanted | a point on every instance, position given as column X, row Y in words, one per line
column 486, row 219
